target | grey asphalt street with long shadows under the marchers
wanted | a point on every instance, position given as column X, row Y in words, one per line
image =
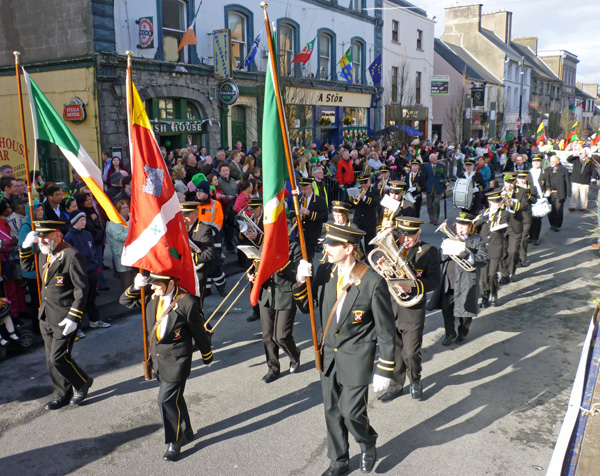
column 492, row 406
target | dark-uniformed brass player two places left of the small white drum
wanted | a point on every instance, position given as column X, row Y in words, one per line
column 515, row 200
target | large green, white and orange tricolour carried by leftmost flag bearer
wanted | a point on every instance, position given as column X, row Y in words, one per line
column 49, row 126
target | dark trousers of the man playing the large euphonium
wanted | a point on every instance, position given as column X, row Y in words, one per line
column 407, row 353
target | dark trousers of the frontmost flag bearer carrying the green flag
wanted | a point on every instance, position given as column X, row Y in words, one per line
column 345, row 411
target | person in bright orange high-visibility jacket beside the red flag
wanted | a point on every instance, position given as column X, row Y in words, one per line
column 210, row 212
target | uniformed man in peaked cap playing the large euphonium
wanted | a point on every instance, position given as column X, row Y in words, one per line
column 423, row 260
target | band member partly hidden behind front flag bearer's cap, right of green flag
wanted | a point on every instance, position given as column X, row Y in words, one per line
column 314, row 212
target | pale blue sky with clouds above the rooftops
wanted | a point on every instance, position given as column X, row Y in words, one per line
column 559, row 25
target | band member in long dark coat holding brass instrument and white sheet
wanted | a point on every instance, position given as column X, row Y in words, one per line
column 458, row 294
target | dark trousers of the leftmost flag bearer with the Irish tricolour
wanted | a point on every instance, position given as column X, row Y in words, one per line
column 64, row 372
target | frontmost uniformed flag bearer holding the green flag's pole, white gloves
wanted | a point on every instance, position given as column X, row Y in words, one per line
column 356, row 315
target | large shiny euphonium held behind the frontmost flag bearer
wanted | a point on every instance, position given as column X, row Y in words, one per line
column 394, row 267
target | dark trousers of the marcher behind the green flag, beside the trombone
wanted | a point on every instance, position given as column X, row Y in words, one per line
column 278, row 327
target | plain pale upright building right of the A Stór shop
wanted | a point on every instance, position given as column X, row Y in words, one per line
column 407, row 65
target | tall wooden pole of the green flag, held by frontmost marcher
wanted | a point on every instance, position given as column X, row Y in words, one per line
column 290, row 167
